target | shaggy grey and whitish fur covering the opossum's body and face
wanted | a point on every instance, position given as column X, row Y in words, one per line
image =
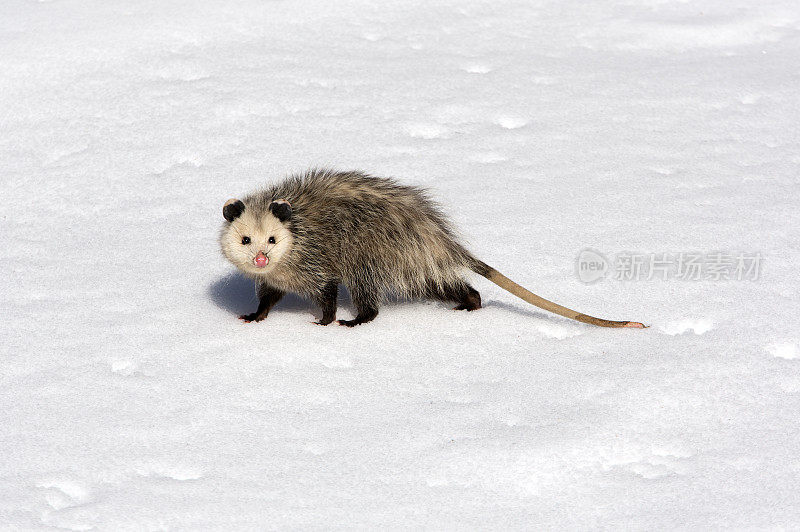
column 371, row 234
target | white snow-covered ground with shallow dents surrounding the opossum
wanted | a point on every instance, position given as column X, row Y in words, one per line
column 133, row 399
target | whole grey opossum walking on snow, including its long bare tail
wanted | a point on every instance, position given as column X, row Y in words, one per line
column 322, row 228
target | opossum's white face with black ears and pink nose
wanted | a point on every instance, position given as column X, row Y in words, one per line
column 256, row 239
